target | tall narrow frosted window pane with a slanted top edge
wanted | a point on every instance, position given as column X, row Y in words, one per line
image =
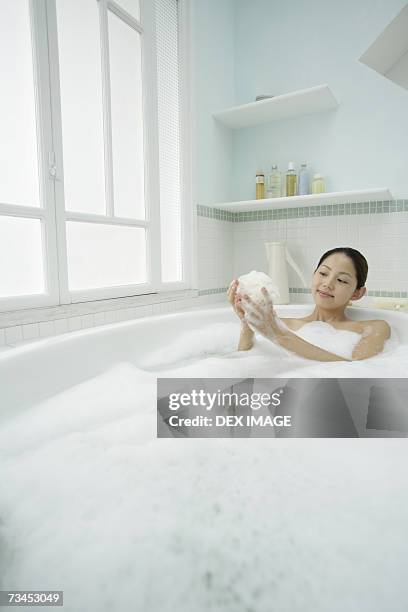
column 127, row 120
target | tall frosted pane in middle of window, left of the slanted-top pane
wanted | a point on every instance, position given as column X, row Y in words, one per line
column 81, row 105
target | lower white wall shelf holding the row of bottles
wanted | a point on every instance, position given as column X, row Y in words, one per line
column 338, row 197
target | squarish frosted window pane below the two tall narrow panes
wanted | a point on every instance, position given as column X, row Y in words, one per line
column 102, row 255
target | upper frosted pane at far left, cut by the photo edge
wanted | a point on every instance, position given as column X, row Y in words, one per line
column 18, row 143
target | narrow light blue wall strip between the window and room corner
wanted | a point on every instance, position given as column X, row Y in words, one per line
column 212, row 37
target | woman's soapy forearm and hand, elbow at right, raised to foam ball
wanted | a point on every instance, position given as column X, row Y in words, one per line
column 265, row 321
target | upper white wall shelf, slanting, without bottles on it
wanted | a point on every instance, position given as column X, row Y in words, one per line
column 302, row 102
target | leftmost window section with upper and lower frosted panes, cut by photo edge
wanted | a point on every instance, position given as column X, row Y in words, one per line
column 28, row 250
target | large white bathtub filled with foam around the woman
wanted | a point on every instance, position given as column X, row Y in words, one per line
column 92, row 503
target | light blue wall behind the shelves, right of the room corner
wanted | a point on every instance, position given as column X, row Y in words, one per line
column 284, row 46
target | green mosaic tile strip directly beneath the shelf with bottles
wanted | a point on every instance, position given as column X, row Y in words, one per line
column 301, row 212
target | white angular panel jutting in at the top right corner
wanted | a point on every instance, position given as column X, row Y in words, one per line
column 388, row 54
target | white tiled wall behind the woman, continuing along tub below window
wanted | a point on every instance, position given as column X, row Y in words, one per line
column 232, row 244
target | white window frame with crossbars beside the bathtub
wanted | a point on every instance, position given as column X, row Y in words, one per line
column 53, row 215
